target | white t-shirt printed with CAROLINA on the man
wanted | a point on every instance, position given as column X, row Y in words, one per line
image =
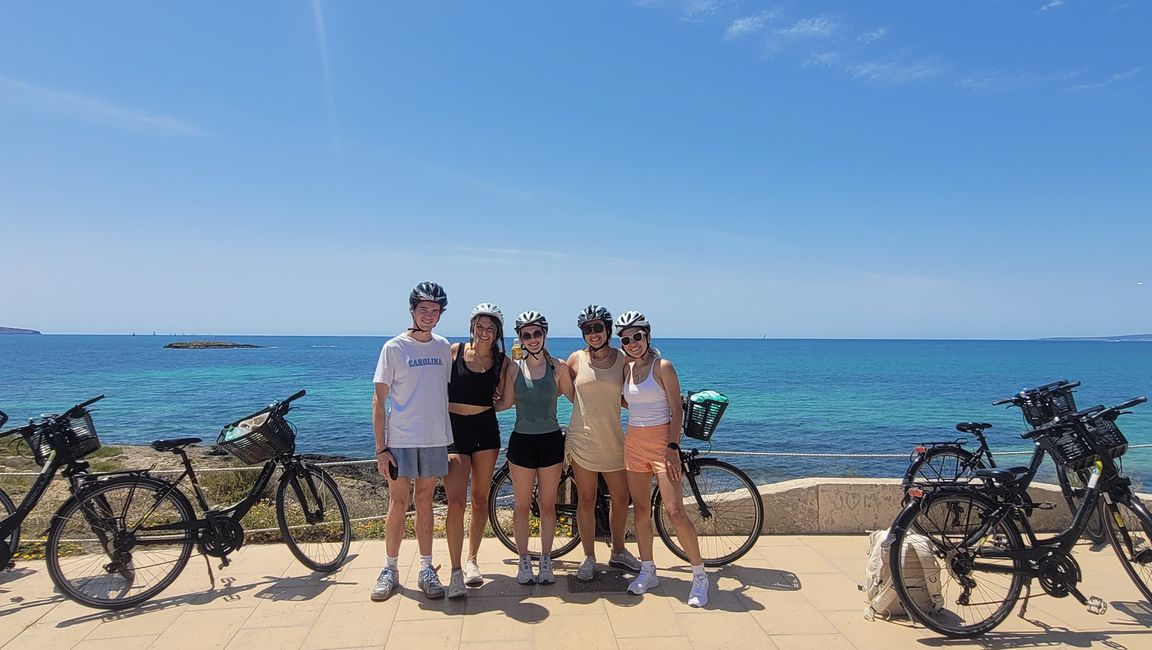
column 418, row 376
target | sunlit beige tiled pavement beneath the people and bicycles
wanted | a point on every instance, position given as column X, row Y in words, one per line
column 790, row 592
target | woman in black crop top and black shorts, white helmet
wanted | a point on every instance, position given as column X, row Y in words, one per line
column 476, row 371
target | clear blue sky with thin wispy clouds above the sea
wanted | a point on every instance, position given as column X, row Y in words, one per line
column 812, row 170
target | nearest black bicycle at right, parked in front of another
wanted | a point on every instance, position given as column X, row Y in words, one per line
column 975, row 531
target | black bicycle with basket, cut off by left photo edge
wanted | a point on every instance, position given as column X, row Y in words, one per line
column 59, row 443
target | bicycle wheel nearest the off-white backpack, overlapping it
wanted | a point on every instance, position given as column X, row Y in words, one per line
column 946, row 519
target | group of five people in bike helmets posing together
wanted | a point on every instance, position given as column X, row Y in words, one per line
column 434, row 414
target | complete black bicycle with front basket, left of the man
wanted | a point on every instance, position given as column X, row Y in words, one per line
column 146, row 527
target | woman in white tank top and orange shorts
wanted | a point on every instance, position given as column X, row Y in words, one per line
column 656, row 418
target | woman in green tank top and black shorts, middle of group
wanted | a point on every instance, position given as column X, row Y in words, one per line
column 536, row 448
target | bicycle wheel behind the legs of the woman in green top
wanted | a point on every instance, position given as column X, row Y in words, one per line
column 502, row 504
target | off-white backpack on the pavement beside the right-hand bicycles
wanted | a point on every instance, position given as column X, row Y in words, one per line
column 921, row 572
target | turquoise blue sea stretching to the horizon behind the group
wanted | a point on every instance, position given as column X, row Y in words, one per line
column 787, row 396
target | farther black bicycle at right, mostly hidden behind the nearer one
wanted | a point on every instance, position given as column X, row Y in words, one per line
column 951, row 462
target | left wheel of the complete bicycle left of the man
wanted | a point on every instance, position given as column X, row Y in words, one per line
column 120, row 512
